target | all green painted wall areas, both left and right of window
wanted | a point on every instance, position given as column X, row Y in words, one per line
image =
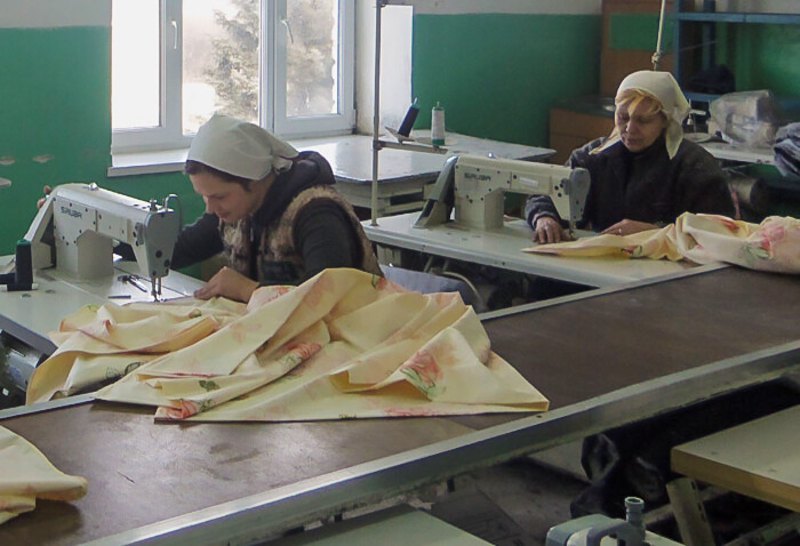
column 497, row 76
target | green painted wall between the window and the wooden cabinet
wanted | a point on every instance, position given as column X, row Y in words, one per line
column 497, row 75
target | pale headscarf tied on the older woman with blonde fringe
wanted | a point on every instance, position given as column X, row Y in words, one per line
column 674, row 105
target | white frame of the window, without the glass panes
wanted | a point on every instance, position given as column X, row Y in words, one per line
column 272, row 70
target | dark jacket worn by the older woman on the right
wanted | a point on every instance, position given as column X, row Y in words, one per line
column 645, row 186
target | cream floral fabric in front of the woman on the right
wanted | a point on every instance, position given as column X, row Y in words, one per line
column 773, row 245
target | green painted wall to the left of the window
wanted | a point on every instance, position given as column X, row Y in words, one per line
column 55, row 123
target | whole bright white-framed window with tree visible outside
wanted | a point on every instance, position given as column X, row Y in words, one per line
column 285, row 64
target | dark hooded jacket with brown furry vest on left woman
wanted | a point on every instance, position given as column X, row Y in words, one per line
column 324, row 232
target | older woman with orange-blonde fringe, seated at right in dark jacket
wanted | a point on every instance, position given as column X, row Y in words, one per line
column 645, row 174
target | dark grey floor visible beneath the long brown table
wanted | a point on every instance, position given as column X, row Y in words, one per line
column 516, row 503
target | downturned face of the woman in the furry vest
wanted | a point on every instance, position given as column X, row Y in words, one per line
column 228, row 200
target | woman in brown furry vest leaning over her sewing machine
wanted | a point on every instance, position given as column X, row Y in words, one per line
column 272, row 211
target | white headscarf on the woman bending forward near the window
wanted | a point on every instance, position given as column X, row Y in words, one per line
column 240, row 148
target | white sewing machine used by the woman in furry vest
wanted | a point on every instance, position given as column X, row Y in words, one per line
column 76, row 227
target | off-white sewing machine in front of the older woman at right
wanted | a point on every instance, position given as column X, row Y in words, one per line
column 475, row 186
